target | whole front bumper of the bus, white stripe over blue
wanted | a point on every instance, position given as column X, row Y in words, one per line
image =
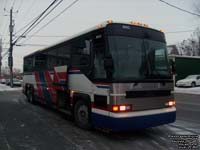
column 134, row 120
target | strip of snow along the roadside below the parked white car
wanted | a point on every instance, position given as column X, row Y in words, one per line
column 194, row 90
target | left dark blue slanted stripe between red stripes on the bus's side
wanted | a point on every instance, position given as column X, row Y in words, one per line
column 46, row 93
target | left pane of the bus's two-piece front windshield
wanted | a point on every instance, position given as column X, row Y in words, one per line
column 128, row 57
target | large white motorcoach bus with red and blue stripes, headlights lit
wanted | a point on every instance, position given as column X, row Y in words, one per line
column 115, row 76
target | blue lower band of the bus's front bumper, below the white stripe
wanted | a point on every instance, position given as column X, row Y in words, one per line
column 132, row 123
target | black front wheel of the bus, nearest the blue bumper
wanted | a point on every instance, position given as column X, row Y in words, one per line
column 82, row 115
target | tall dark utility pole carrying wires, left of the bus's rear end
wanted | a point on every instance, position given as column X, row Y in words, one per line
column 10, row 58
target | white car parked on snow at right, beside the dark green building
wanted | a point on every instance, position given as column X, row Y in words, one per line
column 189, row 81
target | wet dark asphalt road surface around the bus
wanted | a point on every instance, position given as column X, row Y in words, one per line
column 24, row 126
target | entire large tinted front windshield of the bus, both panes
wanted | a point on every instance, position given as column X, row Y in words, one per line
column 137, row 59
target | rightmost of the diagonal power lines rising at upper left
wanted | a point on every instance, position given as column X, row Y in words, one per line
column 69, row 6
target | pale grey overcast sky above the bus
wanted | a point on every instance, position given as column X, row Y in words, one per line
column 88, row 13
